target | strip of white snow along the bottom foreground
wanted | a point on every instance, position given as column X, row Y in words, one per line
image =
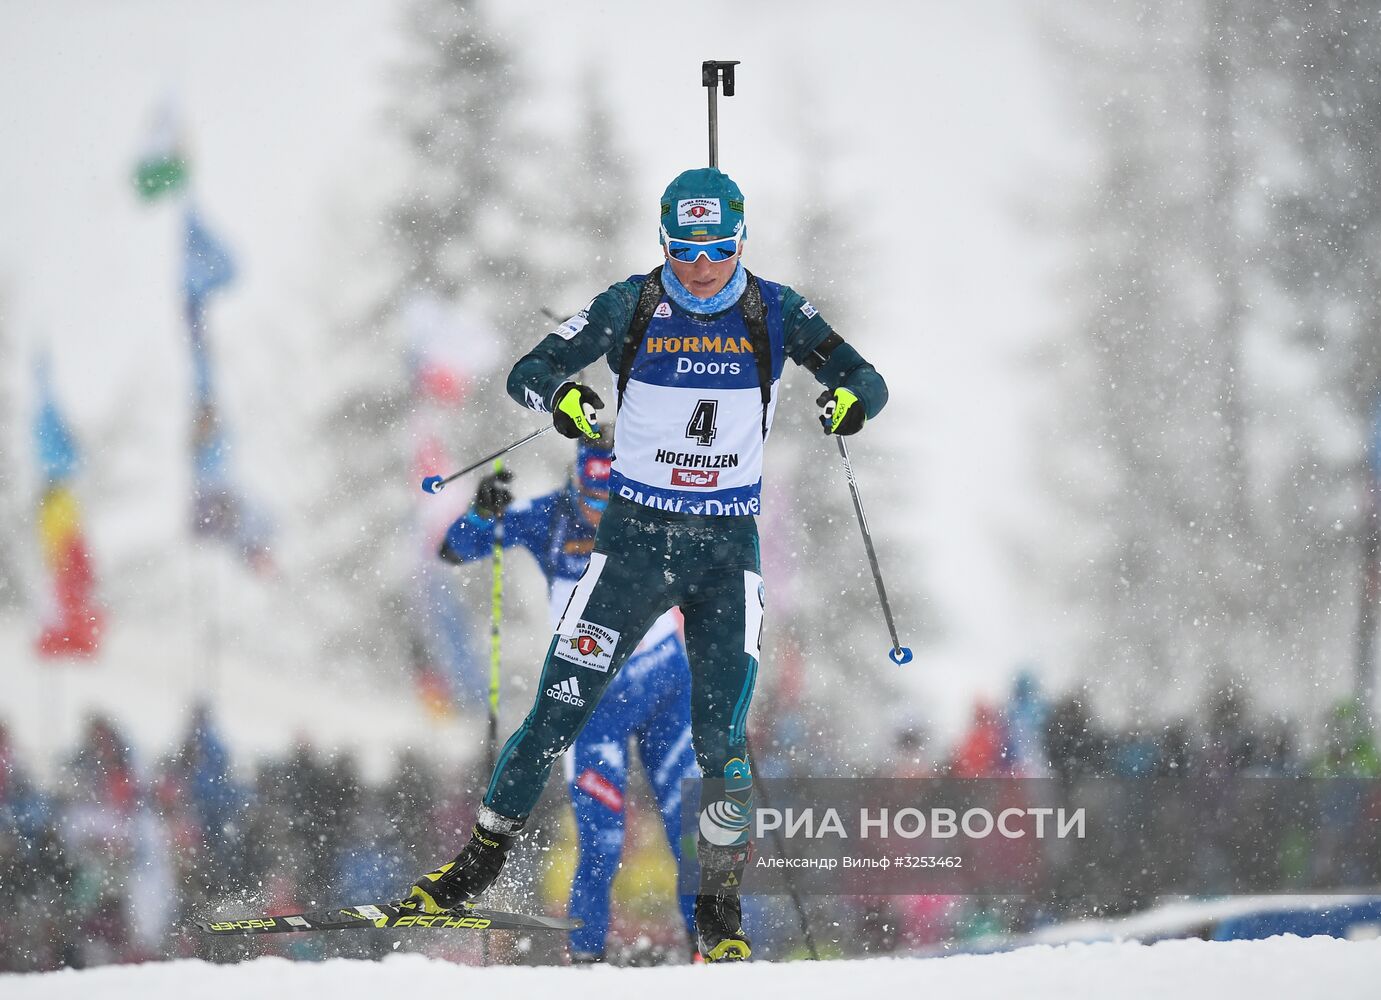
column 1184, row 970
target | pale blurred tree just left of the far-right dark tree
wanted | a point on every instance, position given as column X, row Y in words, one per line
column 1148, row 450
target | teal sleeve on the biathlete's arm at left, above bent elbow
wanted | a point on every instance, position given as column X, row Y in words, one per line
column 595, row 331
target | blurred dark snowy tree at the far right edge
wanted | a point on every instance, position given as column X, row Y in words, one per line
column 1321, row 202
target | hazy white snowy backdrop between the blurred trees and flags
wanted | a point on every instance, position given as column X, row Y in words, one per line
column 944, row 146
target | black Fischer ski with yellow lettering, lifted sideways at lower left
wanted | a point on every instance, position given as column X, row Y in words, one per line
column 387, row 915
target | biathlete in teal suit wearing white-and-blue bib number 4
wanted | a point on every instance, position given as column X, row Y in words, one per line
column 697, row 352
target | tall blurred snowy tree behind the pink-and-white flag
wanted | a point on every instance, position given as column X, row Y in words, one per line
column 454, row 233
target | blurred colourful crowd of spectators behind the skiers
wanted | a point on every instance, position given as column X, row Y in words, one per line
column 108, row 865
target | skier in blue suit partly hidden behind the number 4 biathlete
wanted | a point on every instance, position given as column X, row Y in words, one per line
column 650, row 700
